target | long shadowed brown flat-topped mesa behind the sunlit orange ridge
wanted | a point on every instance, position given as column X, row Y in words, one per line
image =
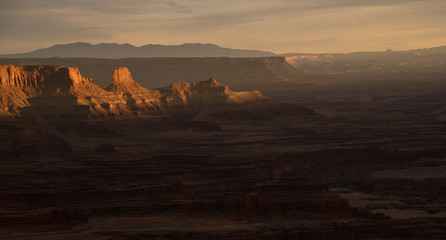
column 263, row 73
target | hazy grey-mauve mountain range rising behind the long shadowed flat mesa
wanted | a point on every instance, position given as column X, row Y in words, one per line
column 113, row 50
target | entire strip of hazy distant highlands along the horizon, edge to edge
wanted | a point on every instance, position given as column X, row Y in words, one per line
column 114, row 50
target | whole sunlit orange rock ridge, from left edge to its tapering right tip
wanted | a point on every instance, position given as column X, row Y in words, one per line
column 46, row 87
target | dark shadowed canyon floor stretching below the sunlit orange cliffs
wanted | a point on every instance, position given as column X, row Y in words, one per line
column 338, row 159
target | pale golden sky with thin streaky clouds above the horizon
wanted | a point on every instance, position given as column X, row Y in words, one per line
column 280, row 26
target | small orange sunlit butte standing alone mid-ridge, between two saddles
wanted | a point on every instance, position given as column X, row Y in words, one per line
column 124, row 83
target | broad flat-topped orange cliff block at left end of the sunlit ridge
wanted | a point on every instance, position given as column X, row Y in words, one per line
column 44, row 84
